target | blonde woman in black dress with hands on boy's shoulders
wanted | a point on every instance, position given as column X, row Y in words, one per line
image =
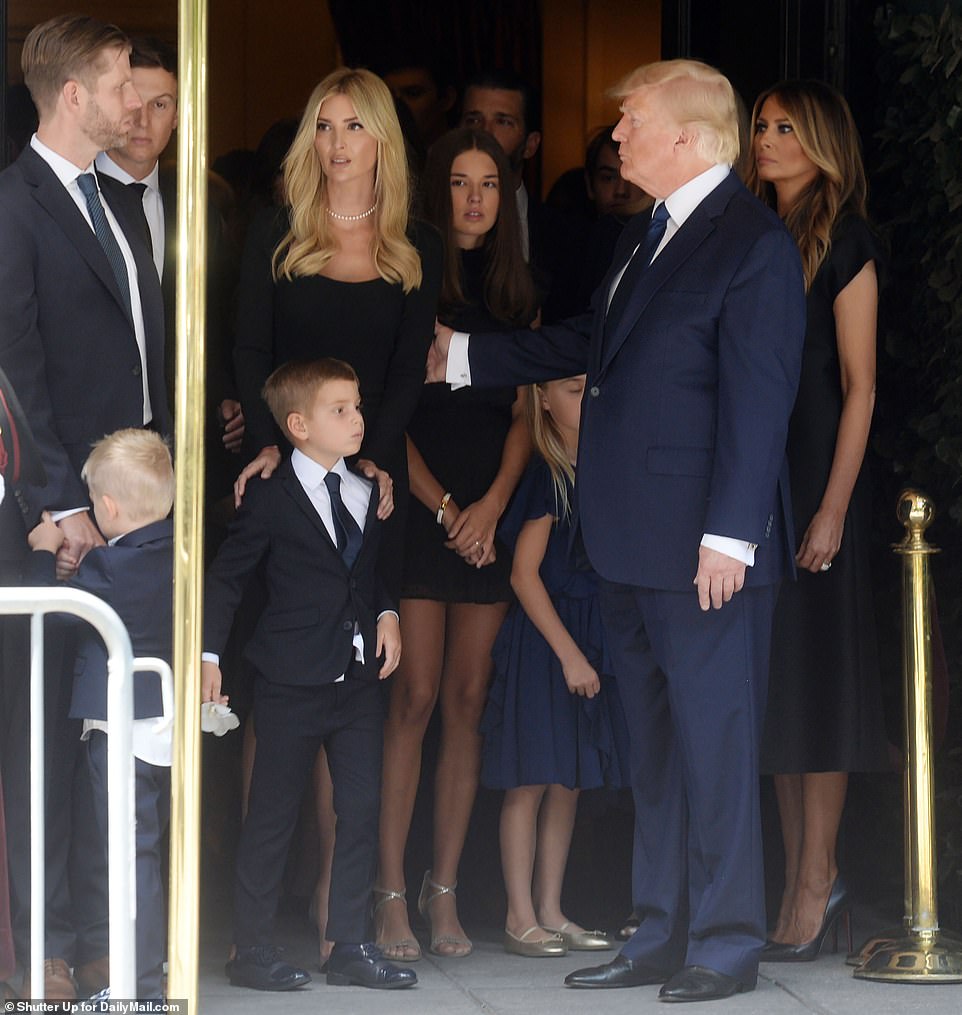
column 342, row 272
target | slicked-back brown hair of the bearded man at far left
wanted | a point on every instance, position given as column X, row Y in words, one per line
column 68, row 48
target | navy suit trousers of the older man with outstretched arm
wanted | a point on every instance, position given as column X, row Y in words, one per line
column 694, row 686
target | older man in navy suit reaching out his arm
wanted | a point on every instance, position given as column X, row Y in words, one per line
column 693, row 356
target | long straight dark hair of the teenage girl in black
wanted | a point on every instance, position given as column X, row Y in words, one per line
column 509, row 290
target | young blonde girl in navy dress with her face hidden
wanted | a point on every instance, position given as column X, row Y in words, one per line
column 554, row 724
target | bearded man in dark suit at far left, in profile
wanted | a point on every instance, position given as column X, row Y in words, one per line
column 82, row 339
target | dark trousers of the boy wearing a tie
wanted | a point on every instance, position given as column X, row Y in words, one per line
column 292, row 724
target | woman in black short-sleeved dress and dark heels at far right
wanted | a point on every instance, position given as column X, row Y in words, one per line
column 824, row 716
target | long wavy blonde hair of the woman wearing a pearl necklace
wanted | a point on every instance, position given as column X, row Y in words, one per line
column 310, row 244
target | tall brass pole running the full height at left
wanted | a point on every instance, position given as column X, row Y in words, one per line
column 189, row 504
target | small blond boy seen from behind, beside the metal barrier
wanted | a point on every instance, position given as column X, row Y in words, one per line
column 131, row 484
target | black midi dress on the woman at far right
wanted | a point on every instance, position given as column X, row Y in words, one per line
column 824, row 701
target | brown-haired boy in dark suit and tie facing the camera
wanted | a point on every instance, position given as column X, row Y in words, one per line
column 316, row 649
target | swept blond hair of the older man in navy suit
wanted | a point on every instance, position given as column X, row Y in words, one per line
column 701, row 98
